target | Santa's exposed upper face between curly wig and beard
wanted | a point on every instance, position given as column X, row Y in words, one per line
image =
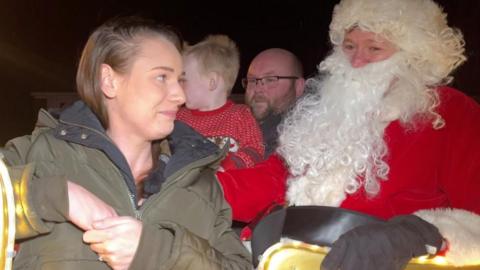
column 362, row 47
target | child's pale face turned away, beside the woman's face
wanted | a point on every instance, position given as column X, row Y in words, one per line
column 196, row 85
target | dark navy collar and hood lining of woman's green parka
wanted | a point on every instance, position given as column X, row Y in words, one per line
column 78, row 124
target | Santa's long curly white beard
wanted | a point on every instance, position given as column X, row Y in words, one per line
column 333, row 138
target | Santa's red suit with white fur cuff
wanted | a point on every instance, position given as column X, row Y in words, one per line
column 434, row 173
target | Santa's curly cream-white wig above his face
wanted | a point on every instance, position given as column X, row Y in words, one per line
column 417, row 27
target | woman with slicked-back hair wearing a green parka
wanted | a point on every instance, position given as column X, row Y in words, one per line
column 103, row 187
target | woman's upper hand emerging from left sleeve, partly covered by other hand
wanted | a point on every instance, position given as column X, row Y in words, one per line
column 84, row 208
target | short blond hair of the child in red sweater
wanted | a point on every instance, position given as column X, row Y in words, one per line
column 219, row 54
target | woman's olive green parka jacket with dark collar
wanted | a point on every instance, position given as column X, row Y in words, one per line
column 186, row 222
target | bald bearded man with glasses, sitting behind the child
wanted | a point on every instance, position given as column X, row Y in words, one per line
column 273, row 83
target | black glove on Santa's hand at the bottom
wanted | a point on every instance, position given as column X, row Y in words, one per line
column 383, row 246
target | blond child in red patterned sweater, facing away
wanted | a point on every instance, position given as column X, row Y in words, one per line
column 211, row 68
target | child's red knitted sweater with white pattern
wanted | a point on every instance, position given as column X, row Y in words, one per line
column 233, row 123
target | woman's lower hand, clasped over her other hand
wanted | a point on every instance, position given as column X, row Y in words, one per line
column 115, row 240
